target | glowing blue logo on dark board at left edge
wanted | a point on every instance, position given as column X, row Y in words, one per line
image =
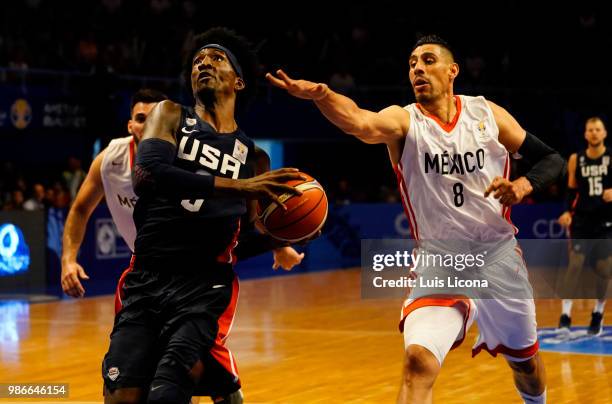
column 14, row 252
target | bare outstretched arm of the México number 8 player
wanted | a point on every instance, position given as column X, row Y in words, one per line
column 387, row 126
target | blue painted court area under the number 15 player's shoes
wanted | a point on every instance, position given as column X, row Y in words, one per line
column 575, row 340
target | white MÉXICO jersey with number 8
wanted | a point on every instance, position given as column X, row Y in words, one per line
column 445, row 169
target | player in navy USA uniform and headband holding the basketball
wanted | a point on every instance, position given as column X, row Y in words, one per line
column 195, row 170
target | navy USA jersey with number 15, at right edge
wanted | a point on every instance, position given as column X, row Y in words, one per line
column 593, row 177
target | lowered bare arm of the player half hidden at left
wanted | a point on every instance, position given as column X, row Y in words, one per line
column 86, row 200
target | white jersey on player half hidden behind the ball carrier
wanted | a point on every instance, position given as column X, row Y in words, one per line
column 116, row 171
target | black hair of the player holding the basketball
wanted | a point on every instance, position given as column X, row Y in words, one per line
column 238, row 45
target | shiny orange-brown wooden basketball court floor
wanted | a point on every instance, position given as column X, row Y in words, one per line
column 306, row 338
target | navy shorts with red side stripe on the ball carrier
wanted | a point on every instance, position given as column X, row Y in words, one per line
column 169, row 320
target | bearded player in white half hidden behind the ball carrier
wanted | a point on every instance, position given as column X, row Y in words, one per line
column 110, row 177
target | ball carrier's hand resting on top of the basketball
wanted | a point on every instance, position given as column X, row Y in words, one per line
column 272, row 185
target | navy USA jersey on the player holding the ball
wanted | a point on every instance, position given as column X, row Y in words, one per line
column 201, row 229
